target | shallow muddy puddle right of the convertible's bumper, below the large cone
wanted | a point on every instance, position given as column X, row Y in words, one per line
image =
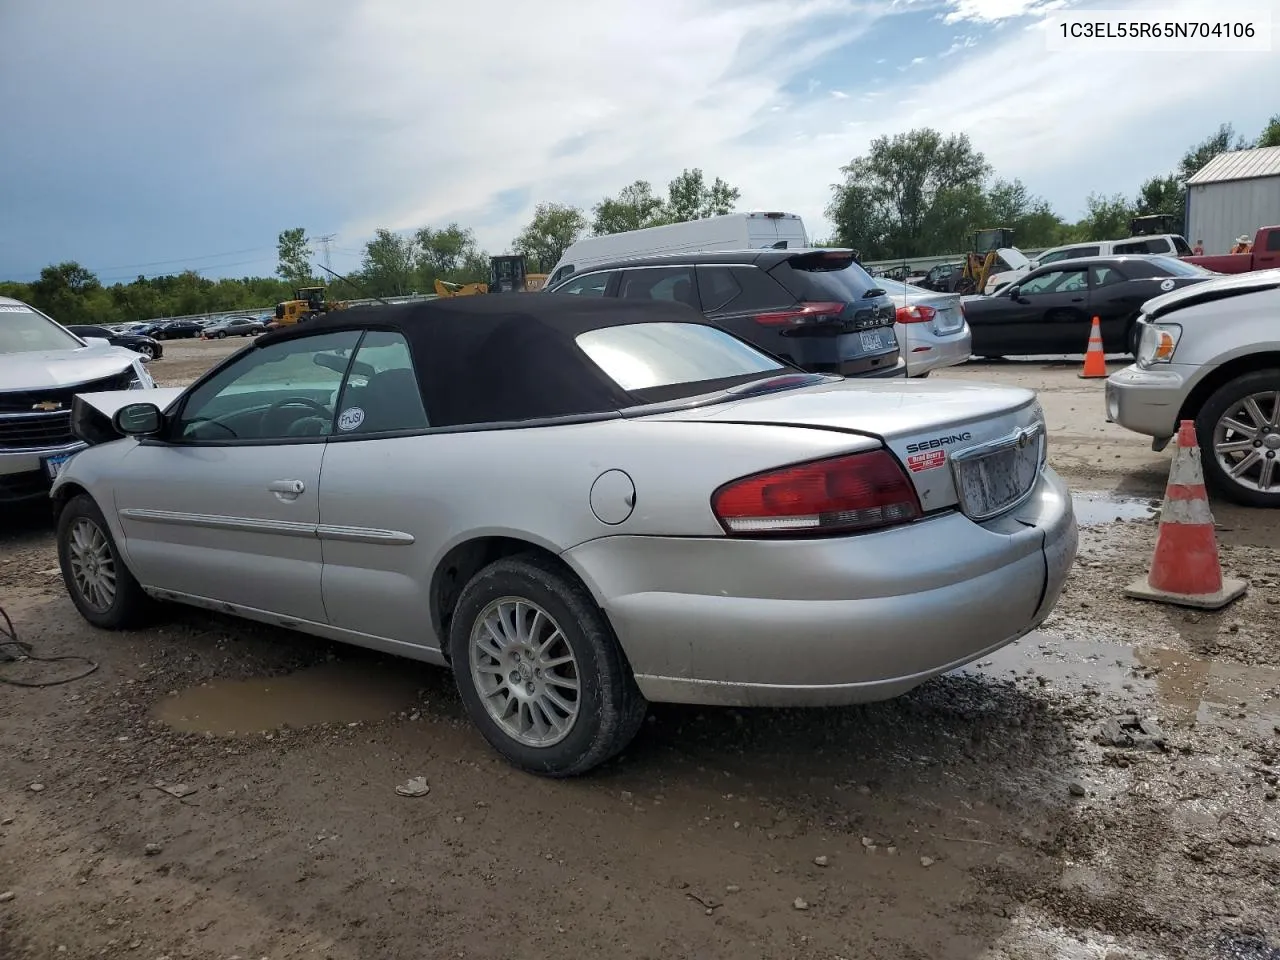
column 1187, row 691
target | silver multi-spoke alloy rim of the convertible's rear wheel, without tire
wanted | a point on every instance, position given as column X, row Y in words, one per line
column 525, row 673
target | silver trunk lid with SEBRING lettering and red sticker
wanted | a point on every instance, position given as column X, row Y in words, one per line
column 973, row 446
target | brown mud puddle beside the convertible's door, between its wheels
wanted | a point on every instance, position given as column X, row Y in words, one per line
column 331, row 693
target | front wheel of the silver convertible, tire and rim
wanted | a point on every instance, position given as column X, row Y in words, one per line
column 89, row 559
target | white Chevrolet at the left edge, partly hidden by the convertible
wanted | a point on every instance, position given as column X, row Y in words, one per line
column 43, row 367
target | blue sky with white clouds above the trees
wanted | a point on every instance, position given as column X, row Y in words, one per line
column 150, row 136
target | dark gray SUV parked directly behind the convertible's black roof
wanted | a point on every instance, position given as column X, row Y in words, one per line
column 817, row 309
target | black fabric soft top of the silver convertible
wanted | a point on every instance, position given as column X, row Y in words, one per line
column 504, row 358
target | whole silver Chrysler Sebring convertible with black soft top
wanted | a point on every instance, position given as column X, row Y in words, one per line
column 579, row 506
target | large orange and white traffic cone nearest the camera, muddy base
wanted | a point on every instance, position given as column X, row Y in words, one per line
column 1186, row 570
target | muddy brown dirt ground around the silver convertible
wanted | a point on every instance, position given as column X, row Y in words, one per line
column 1105, row 789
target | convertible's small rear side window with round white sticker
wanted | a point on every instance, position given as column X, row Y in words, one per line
column 382, row 391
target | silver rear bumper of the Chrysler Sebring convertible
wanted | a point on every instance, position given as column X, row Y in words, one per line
column 830, row 621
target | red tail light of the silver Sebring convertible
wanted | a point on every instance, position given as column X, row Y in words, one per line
column 856, row 492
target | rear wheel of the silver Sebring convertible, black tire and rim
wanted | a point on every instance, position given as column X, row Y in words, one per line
column 609, row 708
